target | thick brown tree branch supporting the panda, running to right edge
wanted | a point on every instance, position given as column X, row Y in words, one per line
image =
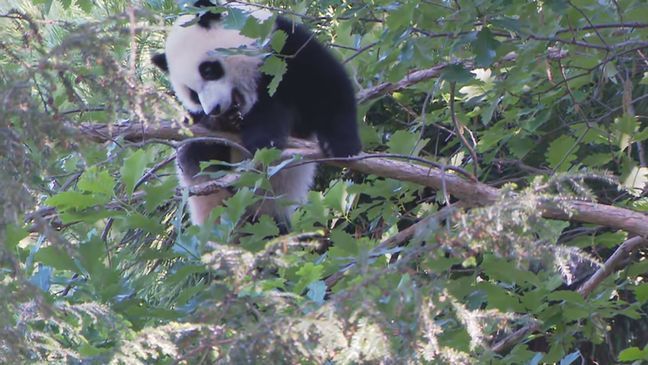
column 472, row 193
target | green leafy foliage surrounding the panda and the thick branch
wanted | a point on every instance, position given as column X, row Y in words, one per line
column 99, row 264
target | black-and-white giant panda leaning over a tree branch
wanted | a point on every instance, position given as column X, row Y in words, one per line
column 315, row 99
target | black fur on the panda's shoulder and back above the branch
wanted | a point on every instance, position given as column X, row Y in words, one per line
column 315, row 96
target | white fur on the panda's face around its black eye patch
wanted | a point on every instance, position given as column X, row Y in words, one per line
column 187, row 47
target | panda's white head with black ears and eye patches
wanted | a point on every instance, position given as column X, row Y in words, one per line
column 206, row 80
